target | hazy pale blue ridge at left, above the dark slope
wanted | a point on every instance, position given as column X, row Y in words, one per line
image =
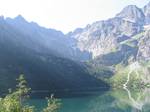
column 50, row 39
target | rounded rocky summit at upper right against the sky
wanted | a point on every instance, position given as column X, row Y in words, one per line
column 133, row 14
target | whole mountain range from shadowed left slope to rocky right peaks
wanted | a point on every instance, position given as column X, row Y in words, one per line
column 52, row 60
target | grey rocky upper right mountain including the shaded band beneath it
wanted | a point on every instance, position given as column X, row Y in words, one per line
column 106, row 39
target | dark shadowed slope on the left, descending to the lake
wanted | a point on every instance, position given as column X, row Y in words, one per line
column 44, row 71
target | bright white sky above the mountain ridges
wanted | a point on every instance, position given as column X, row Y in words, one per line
column 65, row 15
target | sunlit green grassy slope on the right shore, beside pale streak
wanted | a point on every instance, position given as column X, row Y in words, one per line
column 121, row 75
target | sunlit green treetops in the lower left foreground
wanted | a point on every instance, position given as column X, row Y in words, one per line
column 14, row 101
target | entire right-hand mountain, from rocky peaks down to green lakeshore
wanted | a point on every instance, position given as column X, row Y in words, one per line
column 118, row 45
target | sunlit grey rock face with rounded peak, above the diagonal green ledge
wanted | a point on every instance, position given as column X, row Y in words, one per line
column 104, row 36
